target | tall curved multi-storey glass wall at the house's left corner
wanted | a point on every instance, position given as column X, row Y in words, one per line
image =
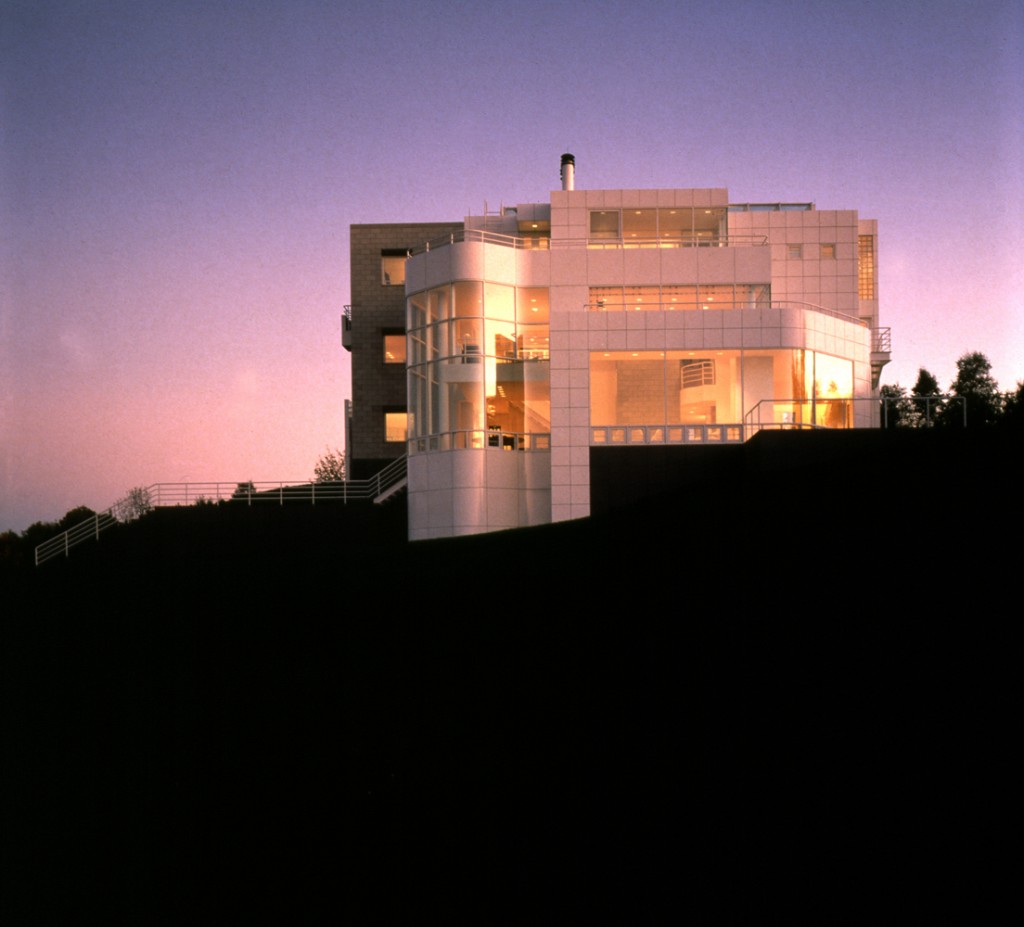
column 479, row 367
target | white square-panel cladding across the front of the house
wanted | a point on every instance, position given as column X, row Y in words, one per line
column 495, row 489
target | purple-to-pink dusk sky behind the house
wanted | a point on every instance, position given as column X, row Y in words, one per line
column 178, row 180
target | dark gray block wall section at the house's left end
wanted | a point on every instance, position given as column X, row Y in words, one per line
column 378, row 388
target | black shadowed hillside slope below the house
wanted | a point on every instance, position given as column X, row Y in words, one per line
column 802, row 681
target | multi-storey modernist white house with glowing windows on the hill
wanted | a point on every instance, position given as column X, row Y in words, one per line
column 535, row 338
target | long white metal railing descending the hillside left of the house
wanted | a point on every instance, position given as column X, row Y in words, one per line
column 168, row 495
